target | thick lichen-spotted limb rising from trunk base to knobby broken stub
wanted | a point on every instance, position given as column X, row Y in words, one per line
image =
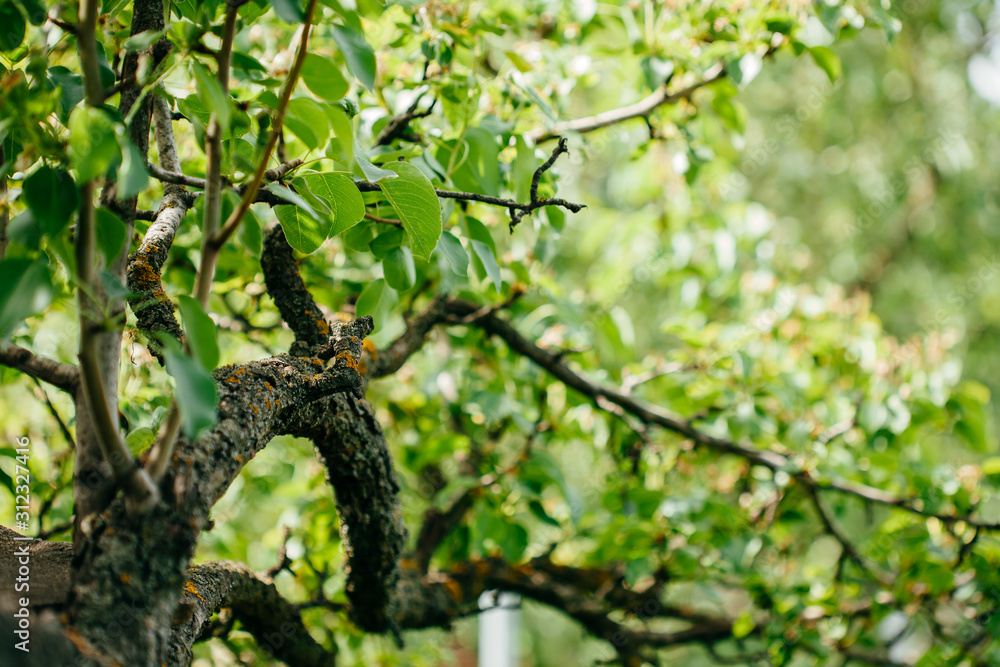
column 137, row 564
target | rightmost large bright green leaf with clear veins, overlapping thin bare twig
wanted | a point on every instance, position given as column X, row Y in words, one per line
column 417, row 205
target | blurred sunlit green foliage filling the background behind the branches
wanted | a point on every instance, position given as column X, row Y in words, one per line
column 799, row 256
